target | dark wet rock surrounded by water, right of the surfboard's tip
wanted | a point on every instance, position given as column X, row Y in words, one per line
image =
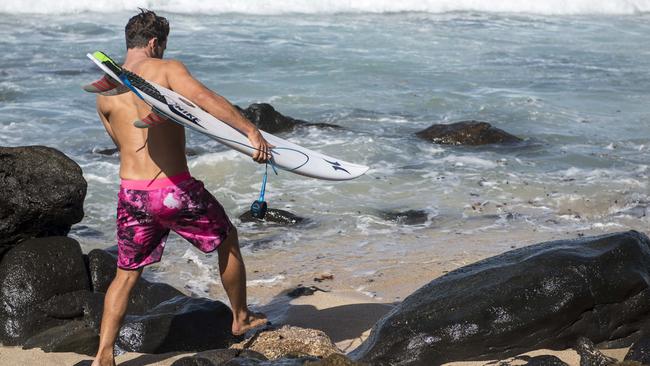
column 467, row 133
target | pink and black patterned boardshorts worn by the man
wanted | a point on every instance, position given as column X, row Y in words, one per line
column 147, row 210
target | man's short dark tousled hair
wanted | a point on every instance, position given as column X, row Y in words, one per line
column 145, row 26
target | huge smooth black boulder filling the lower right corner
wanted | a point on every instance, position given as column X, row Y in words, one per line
column 541, row 296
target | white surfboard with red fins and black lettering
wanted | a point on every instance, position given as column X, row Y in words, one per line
column 167, row 104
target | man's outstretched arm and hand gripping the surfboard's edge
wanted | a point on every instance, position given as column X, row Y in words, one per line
column 181, row 81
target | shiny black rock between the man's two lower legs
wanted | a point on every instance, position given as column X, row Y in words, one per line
column 179, row 324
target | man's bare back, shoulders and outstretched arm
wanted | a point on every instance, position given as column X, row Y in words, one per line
column 159, row 152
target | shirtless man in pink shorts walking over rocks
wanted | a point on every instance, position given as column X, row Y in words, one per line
column 157, row 192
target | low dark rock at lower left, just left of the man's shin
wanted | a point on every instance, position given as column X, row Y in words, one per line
column 74, row 336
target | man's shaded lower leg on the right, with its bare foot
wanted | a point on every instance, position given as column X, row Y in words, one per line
column 233, row 278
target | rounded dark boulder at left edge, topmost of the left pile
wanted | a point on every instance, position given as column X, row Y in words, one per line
column 42, row 194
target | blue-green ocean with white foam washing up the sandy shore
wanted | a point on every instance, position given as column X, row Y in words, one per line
column 572, row 78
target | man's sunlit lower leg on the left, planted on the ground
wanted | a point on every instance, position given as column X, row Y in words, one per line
column 115, row 303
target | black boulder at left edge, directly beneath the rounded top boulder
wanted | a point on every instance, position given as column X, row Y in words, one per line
column 34, row 278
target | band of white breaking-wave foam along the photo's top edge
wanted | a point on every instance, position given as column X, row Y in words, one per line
column 548, row 7
